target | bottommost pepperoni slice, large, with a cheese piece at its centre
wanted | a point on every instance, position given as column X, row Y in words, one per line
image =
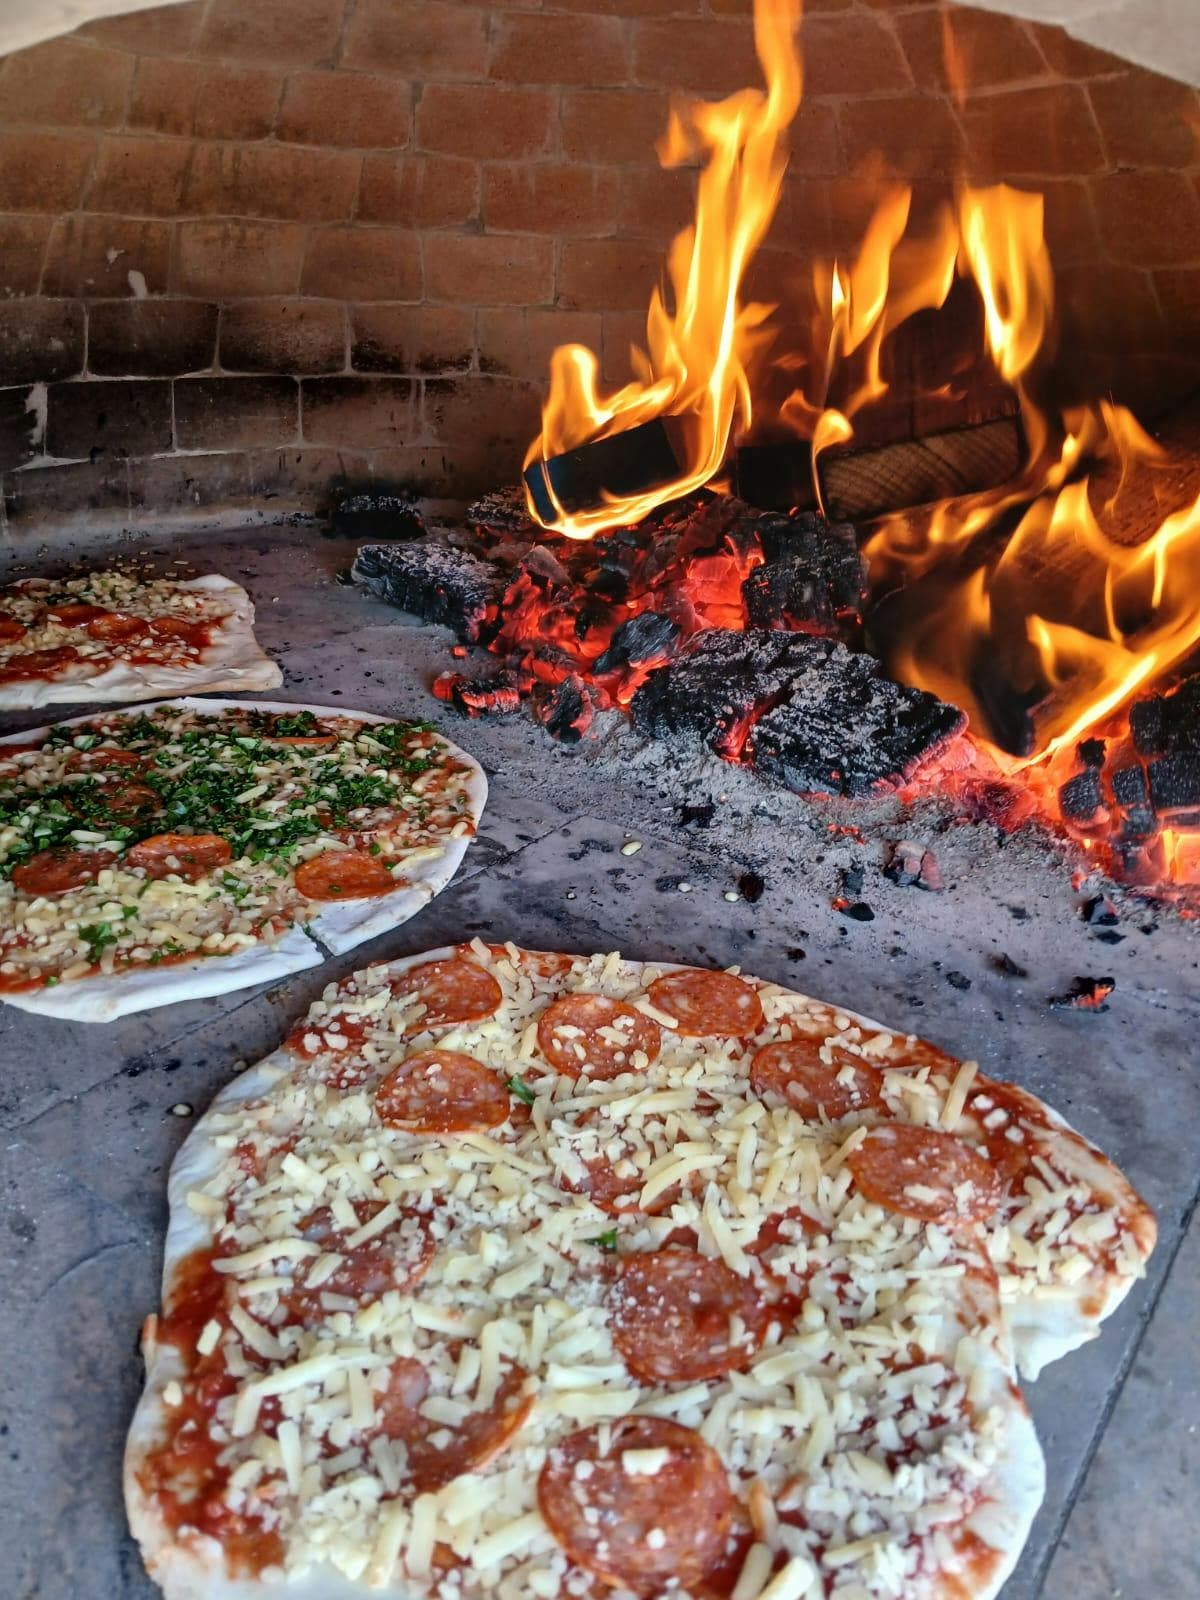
column 606, row 1514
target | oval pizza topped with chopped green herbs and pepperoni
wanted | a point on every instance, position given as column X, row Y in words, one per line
column 202, row 846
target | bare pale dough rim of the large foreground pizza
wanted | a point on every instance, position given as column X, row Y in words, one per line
column 196, row 1572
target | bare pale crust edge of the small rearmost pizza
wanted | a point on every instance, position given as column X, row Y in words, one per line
column 233, row 663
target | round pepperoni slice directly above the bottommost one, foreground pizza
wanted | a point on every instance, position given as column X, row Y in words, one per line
column 671, row 1318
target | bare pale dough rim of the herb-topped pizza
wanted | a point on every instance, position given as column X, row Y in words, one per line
column 334, row 929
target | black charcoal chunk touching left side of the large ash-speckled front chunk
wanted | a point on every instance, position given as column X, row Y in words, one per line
column 713, row 690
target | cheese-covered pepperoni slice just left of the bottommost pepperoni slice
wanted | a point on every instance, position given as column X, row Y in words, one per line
column 476, row 1441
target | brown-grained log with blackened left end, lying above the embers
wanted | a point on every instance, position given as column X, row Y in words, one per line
column 862, row 484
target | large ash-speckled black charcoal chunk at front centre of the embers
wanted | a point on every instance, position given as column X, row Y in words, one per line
column 841, row 727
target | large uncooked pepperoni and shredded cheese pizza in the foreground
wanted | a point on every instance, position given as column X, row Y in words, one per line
column 524, row 1274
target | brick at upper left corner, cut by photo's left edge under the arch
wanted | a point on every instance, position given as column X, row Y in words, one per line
column 66, row 84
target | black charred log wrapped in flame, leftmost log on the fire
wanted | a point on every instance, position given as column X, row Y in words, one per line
column 618, row 468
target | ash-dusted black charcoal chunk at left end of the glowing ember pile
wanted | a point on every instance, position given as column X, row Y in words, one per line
column 434, row 582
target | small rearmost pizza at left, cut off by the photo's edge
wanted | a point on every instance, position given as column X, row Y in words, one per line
column 113, row 636
